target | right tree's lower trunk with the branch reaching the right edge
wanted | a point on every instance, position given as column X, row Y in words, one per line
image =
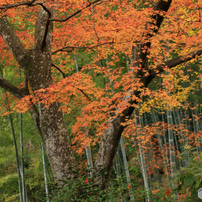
column 112, row 135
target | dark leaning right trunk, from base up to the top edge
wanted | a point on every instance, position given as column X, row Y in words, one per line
column 111, row 137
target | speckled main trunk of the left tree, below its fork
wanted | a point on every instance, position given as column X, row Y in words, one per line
column 51, row 121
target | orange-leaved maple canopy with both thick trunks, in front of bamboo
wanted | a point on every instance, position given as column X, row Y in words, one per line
column 155, row 36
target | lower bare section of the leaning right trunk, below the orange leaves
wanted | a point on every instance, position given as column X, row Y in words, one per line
column 109, row 146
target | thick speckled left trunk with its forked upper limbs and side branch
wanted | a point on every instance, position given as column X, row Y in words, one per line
column 36, row 64
